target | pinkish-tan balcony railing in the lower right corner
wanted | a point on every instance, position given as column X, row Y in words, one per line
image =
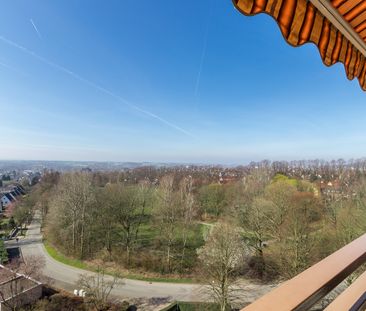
column 307, row 288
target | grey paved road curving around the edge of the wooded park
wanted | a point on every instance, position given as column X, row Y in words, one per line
column 66, row 277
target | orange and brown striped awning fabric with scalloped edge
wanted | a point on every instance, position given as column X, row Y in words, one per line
column 301, row 22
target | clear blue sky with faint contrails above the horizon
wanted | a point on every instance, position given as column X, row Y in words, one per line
column 191, row 81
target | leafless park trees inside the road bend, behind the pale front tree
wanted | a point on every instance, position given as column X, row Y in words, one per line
column 161, row 225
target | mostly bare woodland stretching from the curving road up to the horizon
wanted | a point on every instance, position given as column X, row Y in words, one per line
column 272, row 221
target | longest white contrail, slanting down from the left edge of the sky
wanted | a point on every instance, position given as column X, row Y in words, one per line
column 96, row 86
